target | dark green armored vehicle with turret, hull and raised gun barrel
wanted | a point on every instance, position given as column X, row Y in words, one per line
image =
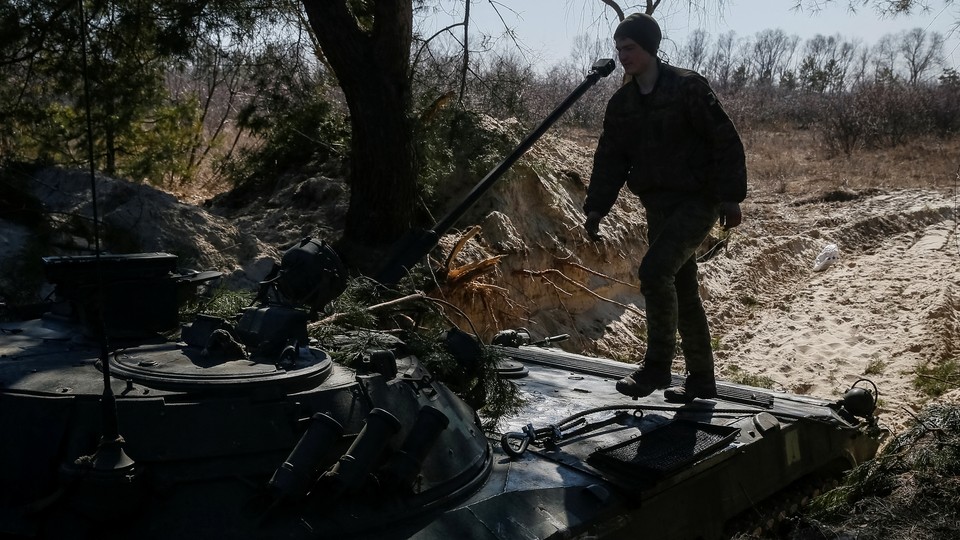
column 118, row 422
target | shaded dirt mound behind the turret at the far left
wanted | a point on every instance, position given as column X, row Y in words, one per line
column 134, row 217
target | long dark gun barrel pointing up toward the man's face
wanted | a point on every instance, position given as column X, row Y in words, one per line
column 411, row 250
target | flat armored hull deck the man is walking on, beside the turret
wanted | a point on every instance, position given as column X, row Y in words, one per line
column 581, row 460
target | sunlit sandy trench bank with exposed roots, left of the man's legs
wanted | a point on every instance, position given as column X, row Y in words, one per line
column 552, row 279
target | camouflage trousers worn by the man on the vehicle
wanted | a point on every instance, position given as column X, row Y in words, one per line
column 668, row 282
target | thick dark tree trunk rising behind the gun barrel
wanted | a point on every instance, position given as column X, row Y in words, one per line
column 369, row 53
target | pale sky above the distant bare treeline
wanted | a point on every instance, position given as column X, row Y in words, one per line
column 547, row 28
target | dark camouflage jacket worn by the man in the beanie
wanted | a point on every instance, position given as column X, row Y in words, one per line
column 673, row 143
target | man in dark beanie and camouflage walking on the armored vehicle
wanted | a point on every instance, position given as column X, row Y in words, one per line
column 668, row 139
